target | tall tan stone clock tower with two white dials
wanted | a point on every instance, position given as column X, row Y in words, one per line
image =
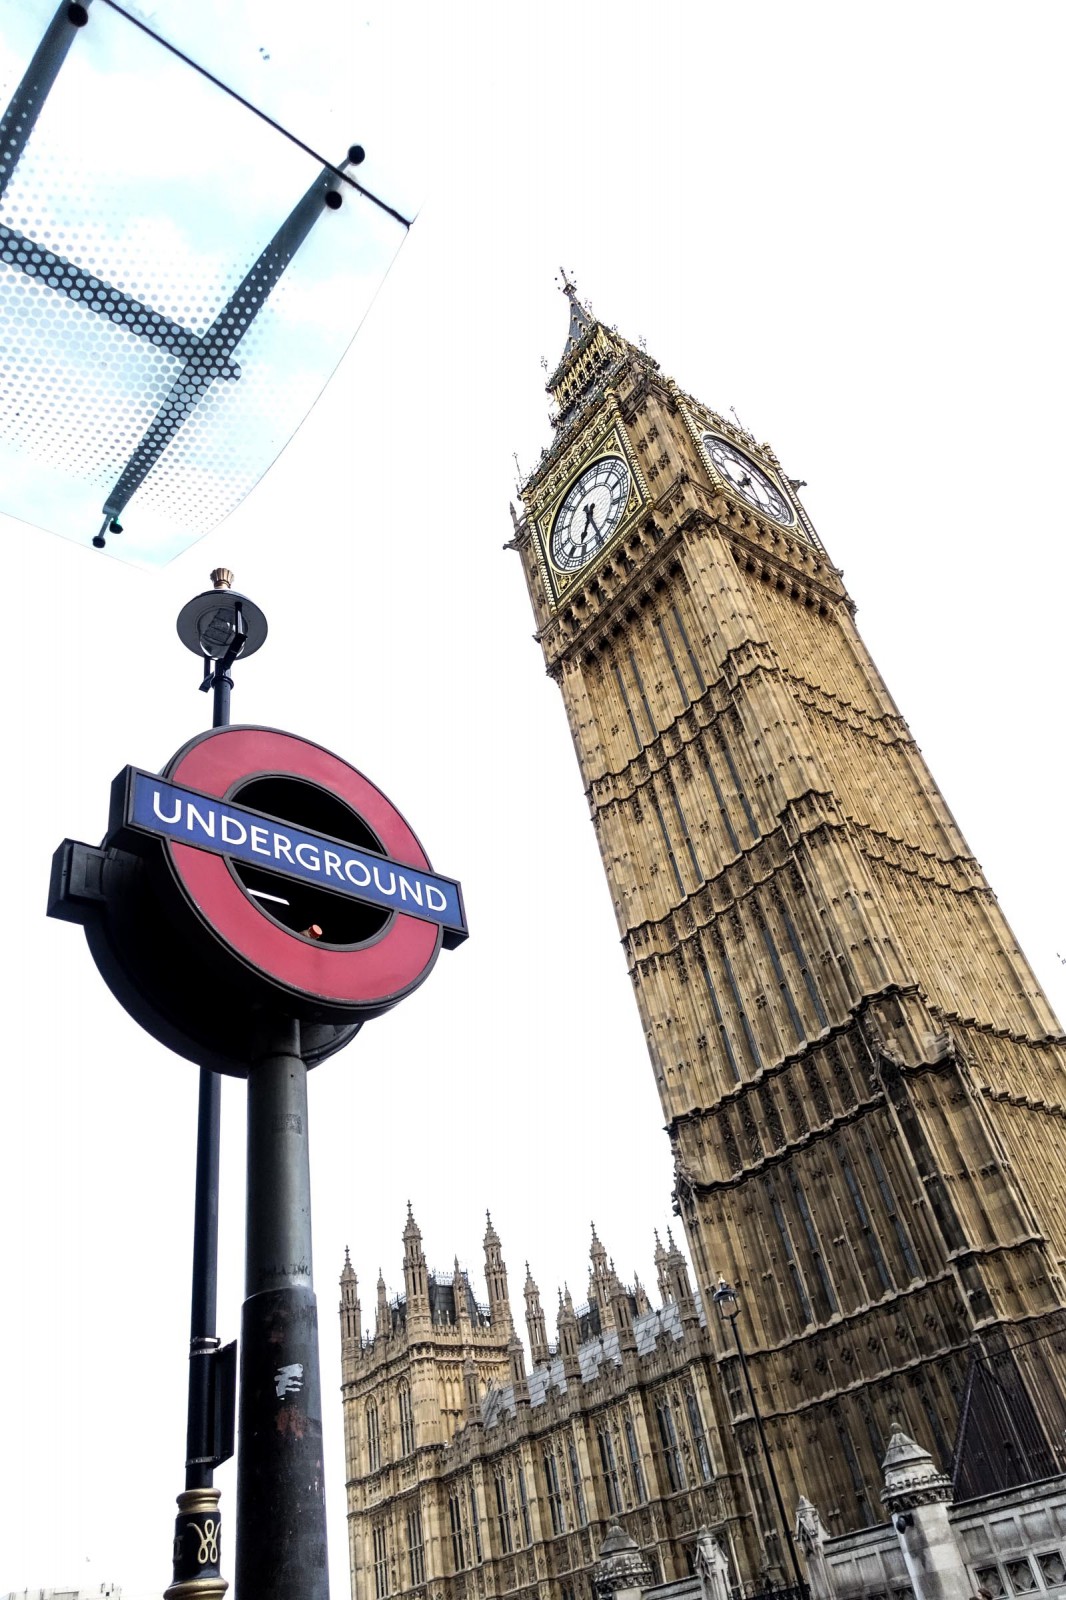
column 864, row 1084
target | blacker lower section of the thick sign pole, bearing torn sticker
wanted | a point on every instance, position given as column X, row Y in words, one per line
column 281, row 1486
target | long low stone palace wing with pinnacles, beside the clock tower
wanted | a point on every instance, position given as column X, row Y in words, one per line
column 471, row 1476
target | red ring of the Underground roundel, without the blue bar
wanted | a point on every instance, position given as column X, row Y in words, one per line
column 371, row 977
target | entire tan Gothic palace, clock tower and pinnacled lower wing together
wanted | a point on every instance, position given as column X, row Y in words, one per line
column 864, row 1084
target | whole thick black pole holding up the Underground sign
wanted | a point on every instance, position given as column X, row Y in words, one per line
column 281, row 1482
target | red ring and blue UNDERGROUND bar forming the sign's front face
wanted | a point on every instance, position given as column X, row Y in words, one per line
column 297, row 863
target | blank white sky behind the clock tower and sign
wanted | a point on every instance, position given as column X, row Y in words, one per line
column 844, row 222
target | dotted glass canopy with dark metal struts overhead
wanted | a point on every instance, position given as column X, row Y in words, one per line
column 185, row 254
